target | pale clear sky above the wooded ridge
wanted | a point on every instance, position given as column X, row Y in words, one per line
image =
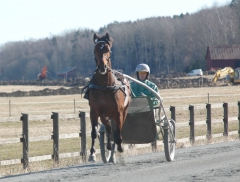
column 21, row 20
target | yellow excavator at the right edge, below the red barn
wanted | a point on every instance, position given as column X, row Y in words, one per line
column 232, row 75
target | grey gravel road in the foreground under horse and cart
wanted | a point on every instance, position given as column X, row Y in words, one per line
column 215, row 162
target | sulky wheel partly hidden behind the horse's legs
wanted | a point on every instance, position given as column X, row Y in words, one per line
column 105, row 153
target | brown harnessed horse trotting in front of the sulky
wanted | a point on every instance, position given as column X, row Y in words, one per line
column 109, row 95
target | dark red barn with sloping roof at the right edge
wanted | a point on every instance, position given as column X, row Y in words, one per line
column 222, row 56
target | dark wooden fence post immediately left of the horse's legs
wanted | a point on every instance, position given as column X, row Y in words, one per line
column 83, row 135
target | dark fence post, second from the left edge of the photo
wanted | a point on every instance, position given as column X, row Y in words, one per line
column 55, row 138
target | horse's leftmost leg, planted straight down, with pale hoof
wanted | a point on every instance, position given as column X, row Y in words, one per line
column 94, row 134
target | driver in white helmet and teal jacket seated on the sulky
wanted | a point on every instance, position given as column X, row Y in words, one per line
column 143, row 71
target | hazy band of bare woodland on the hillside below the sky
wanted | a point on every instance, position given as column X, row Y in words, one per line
column 166, row 44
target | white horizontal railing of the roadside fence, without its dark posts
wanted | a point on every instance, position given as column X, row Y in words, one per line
column 76, row 135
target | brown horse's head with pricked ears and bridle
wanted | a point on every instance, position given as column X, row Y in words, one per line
column 102, row 52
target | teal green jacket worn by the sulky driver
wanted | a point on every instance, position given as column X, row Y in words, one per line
column 138, row 90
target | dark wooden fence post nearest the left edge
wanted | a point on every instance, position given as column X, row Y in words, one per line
column 24, row 140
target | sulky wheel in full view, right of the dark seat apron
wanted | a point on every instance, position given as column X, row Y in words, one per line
column 169, row 140
